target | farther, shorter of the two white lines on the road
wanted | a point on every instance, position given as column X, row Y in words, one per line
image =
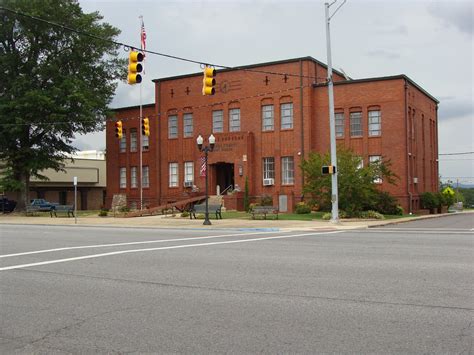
column 130, row 243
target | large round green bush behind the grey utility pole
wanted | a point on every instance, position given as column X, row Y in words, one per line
column 356, row 188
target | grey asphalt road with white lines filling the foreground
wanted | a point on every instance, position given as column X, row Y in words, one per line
column 406, row 288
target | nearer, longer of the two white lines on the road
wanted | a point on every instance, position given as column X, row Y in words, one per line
column 153, row 249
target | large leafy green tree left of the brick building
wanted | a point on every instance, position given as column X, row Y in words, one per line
column 54, row 83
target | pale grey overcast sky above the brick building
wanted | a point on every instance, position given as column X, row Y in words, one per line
column 429, row 41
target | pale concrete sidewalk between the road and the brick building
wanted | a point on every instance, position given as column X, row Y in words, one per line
column 186, row 223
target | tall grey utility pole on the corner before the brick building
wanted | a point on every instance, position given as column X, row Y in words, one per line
column 332, row 120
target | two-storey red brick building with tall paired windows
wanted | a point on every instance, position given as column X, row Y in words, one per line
column 266, row 118
